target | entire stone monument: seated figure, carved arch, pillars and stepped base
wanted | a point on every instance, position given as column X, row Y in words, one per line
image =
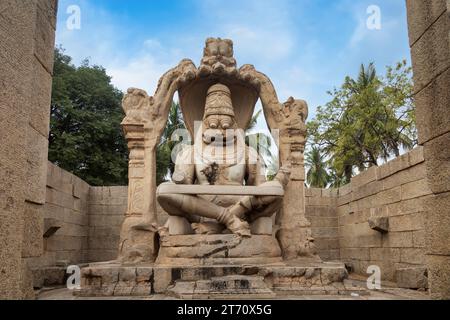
column 228, row 230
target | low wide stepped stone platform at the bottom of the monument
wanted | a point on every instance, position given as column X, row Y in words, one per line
column 252, row 281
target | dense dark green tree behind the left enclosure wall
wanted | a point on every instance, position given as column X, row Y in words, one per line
column 85, row 133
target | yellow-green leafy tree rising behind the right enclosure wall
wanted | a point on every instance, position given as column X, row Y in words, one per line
column 368, row 119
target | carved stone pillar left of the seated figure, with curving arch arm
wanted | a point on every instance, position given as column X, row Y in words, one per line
column 146, row 118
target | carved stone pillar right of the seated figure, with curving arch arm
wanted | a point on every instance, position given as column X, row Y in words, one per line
column 294, row 234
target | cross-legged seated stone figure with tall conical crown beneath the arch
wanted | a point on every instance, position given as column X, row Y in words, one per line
column 219, row 156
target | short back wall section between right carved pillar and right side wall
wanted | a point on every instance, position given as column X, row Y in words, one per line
column 321, row 213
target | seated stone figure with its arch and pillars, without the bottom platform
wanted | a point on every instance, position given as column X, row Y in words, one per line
column 219, row 184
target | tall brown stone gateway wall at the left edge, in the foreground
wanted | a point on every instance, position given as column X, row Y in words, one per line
column 27, row 31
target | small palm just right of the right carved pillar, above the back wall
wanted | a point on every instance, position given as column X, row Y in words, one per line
column 317, row 175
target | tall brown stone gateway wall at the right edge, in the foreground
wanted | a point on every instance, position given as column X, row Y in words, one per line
column 429, row 38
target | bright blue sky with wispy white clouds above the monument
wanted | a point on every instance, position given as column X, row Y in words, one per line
column 306, row 47
